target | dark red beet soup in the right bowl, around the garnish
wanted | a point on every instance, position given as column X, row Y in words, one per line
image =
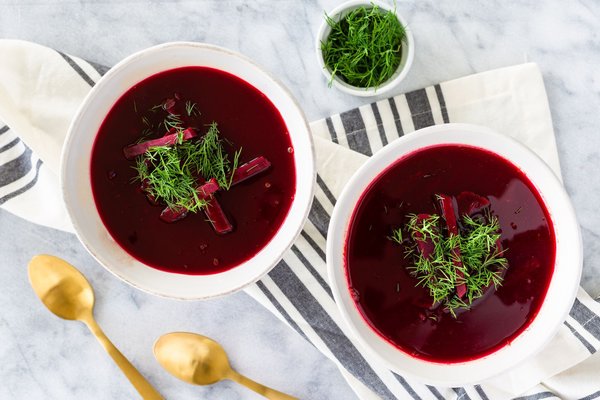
column 386, row 293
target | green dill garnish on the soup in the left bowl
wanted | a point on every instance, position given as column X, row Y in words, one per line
column 171, row 174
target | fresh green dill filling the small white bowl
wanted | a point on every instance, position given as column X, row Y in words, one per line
column 364, row 47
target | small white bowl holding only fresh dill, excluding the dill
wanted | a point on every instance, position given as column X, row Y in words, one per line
column 408, row 51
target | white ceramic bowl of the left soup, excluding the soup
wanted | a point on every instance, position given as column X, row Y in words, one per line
column 75, row 170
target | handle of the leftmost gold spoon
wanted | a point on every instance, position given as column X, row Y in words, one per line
column 140, row 383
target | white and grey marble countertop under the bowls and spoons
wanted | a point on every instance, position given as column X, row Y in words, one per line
column 44, row 357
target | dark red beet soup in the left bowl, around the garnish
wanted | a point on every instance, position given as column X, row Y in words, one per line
column 256, row 207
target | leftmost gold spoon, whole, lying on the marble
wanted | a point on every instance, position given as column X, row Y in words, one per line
column 66, row 292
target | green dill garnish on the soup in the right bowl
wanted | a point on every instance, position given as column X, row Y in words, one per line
column 480, row 265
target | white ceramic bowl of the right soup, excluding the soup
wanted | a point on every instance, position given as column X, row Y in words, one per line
column 563, row 286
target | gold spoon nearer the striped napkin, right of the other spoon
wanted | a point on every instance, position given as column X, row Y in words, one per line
column 199, row 360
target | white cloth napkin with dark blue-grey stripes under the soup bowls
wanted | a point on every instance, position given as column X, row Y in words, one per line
column 40, row 90
